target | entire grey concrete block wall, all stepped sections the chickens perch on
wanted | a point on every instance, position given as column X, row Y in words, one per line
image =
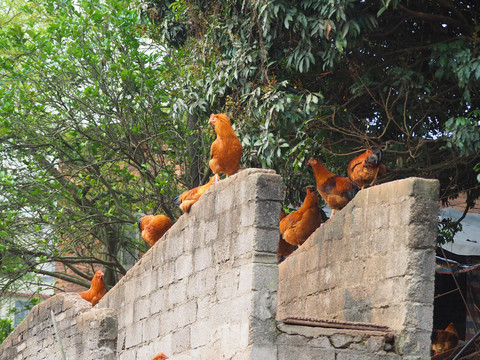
column 208, row 289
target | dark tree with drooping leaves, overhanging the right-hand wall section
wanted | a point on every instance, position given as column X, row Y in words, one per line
column 311, row 77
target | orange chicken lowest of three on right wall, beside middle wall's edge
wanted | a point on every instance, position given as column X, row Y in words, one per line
column 299, row 225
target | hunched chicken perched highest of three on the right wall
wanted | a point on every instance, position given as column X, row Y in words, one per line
column 365, row 168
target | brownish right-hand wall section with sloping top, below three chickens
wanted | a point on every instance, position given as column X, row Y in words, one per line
column 372, row 262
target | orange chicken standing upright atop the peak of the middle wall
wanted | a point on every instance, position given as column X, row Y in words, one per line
column 226, row 150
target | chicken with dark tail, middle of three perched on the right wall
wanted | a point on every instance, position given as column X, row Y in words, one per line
column 337, row 191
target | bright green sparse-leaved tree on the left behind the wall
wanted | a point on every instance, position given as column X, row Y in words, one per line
column 88, row 141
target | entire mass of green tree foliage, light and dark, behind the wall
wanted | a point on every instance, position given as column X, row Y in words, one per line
column 104, row 107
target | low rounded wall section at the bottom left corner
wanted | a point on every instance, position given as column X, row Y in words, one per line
column 86, row 333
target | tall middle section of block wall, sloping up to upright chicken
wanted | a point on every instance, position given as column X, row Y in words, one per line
column 207, row 290
